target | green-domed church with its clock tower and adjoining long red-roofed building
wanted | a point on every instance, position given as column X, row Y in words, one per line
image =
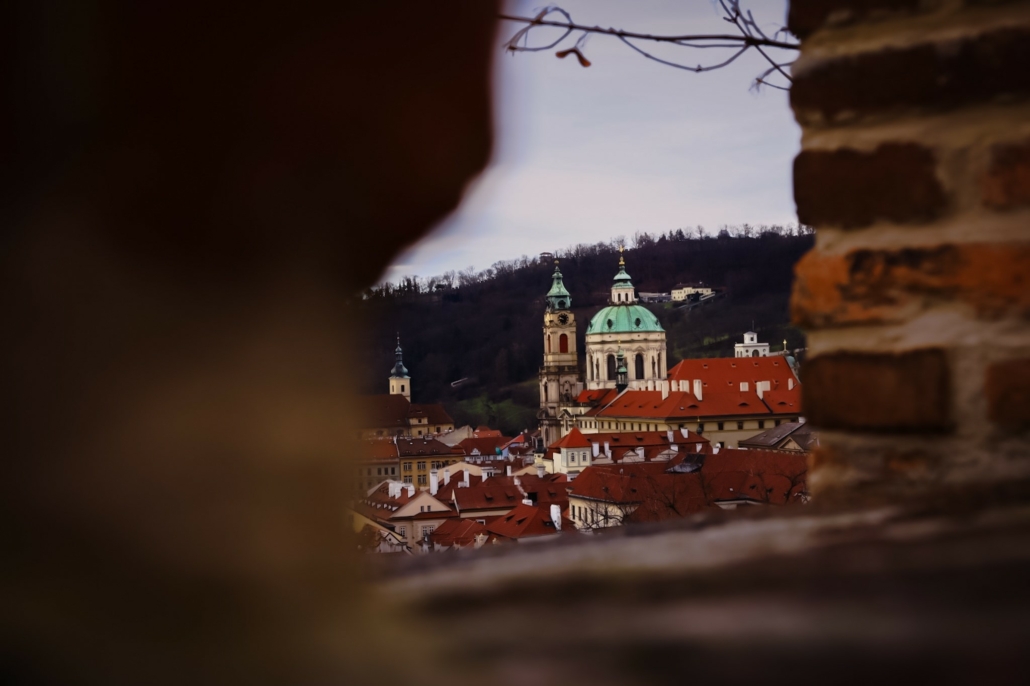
column 626, row 385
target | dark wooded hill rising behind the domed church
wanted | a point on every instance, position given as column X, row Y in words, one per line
column 486, row 327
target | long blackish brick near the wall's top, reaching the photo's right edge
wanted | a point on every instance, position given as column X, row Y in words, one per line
column 941, row 77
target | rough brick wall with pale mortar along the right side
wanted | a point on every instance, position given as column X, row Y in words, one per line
column 915, row 169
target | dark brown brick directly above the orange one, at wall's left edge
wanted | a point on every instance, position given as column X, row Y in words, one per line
column 852, row 189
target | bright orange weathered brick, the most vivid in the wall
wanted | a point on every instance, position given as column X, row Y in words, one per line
column 868, row 287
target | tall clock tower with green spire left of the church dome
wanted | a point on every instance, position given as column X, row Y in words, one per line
column 560, row 378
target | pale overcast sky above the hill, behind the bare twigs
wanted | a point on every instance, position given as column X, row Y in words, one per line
column 626, row 146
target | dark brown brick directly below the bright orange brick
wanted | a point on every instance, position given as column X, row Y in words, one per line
column 908, row 392
